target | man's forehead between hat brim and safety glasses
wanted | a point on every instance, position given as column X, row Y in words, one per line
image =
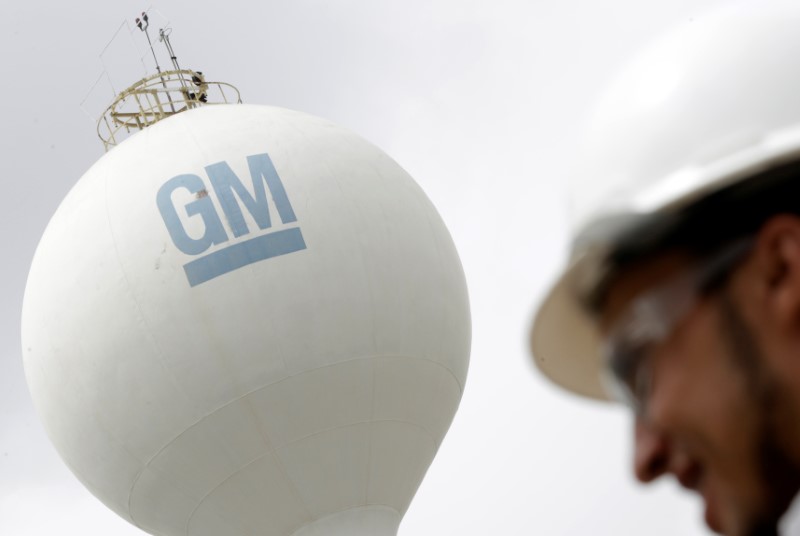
column 637, row 278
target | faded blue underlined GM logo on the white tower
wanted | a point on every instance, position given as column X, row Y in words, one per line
column 232, row 196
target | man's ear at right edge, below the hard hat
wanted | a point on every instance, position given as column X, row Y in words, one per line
column 776, row 261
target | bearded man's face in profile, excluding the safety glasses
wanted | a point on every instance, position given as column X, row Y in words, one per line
column 708, row 414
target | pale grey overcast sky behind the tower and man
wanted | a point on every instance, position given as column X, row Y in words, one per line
column 482, row 102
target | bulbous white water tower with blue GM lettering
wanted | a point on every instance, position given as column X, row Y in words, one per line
column 244, row 320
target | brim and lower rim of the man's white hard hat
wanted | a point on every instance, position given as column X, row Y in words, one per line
column 564, row 338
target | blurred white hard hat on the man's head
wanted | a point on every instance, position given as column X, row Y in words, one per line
column 711, row 104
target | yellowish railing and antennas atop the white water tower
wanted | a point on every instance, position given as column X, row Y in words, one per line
column 159, row 95
